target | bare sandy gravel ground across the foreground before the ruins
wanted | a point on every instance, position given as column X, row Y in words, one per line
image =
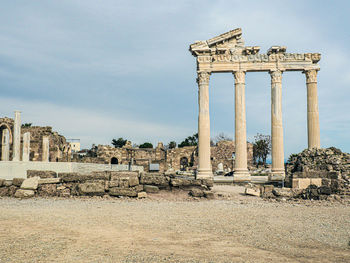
column 173, row 228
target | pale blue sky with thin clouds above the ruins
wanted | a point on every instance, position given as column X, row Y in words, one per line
column 98, row 70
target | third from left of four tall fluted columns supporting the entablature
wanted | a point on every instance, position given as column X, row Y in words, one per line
column 277, row 151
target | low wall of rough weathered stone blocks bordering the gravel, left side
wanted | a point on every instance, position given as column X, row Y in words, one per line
column 112, row 183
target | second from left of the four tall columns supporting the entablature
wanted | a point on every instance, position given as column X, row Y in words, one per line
column 241, row 172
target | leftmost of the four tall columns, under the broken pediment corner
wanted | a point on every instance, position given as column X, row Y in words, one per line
column 204, row 162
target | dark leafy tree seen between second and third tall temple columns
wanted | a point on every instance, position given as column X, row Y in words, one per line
column 261, row 148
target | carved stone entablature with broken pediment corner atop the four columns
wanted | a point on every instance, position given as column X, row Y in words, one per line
column 227, row 53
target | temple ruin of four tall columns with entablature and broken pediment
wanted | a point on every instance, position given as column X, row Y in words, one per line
column 227, row 53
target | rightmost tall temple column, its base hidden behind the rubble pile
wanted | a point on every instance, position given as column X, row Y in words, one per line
column 313, row 123
